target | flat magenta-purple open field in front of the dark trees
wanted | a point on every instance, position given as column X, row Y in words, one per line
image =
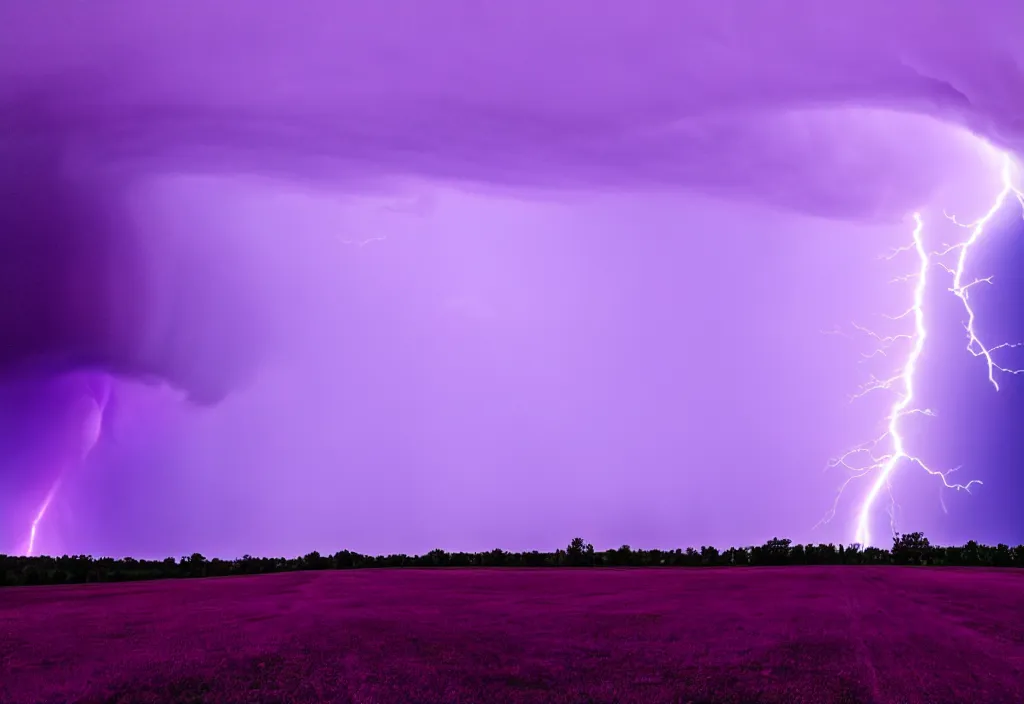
column 744, row 635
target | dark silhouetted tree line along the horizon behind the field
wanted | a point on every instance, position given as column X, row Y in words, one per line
column 910, row 549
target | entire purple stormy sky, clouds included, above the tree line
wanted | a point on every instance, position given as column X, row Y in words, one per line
column 606, row 242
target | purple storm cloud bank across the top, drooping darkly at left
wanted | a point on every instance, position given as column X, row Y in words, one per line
column 738, row 101
